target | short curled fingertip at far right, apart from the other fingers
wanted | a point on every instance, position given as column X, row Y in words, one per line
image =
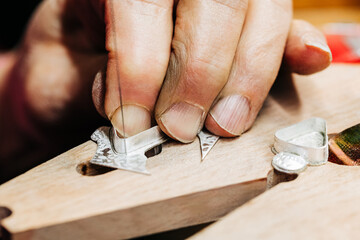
column 306, row 50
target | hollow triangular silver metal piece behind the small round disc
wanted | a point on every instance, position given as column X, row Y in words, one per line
column 307, row 139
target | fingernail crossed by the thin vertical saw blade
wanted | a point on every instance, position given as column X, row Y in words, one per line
column 136, row 120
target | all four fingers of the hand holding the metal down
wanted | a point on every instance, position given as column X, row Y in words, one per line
column 224, row 58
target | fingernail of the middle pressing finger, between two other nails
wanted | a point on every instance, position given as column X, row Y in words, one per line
column 183, row 121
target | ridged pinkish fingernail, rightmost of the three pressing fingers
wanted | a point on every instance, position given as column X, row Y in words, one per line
column 231, row 113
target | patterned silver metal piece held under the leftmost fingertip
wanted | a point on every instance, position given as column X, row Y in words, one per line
column 112, row 152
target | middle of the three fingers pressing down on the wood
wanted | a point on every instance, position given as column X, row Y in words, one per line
column 205, row 40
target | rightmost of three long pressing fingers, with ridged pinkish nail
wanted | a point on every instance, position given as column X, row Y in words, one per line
column 254, row 69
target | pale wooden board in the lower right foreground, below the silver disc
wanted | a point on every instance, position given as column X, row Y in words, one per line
column 322, row 203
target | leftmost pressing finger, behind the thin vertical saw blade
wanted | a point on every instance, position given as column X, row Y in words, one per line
column 138, row 39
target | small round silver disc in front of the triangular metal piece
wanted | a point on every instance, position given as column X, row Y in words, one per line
column 289, row 163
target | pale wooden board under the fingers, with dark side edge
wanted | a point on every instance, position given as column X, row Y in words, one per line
column 54, row 201
